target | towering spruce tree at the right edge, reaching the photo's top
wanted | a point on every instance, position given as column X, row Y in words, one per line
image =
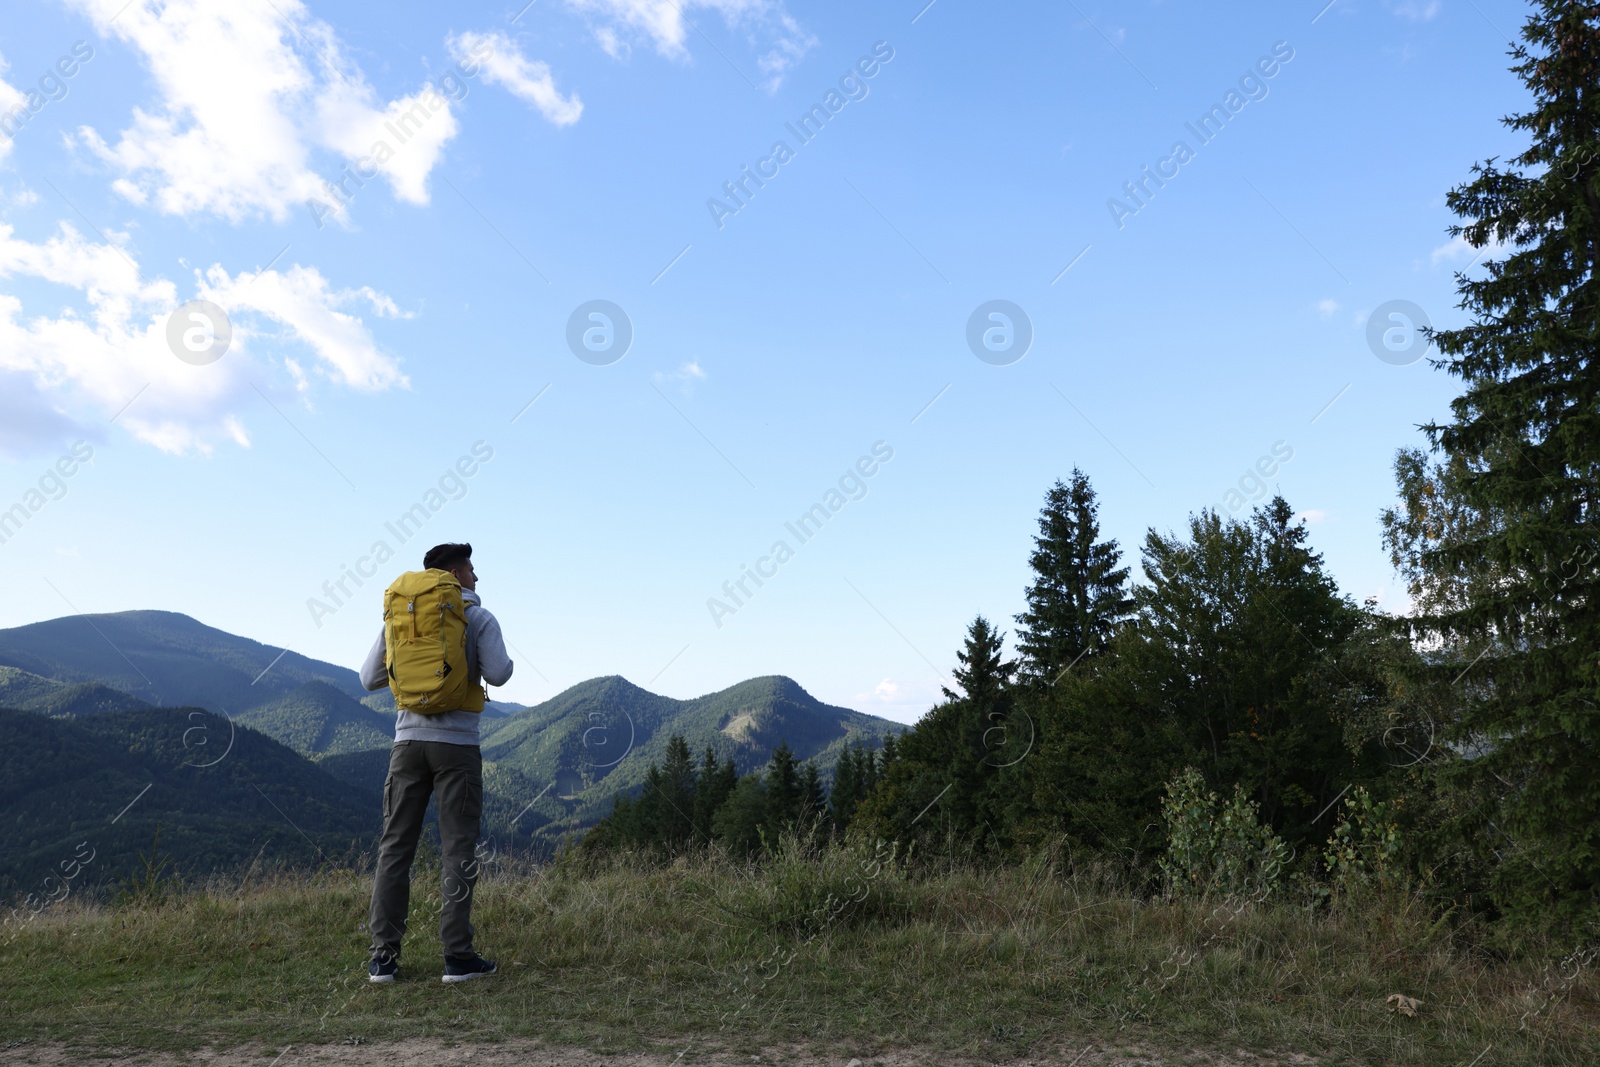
column 1500, row 538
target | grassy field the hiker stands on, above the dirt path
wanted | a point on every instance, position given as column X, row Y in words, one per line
column 839, row 948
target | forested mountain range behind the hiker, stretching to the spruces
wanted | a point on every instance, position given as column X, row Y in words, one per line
column 246, row 751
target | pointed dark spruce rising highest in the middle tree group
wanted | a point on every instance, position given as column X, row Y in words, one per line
column 1079, row 594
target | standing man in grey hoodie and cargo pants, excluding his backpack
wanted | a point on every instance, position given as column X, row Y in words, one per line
column 436, row 754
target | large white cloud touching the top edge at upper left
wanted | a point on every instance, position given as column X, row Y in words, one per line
column 247, row 95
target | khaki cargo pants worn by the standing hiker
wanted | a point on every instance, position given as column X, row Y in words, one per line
column 454, row 775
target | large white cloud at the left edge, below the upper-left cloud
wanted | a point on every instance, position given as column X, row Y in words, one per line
column 116, row 351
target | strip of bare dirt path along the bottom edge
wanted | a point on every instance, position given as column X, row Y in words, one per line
column 436, row 1053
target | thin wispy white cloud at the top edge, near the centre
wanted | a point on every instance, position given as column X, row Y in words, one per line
column 668, row 23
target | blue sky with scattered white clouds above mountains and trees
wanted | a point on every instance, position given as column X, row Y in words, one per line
column 577, row 151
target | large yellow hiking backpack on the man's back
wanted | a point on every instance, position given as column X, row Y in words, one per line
column 426, row 645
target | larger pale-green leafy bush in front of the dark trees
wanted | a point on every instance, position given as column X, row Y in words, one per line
column 1218, row 849
